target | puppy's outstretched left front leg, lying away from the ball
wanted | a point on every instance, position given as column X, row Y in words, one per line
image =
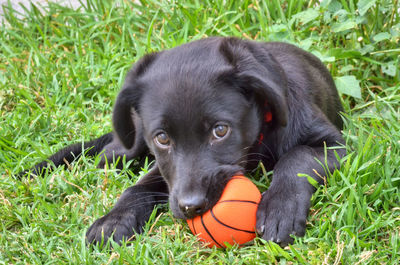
column 131, row 211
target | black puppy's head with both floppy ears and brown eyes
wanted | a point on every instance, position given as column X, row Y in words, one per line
column 200, row 108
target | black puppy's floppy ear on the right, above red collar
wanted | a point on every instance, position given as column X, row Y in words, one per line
column 256, row 71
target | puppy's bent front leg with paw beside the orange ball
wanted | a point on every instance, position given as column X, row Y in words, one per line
column 285, row 205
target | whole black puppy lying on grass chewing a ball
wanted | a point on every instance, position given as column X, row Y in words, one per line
column 209, row 109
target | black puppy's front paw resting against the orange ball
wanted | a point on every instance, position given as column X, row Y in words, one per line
column 282, row 214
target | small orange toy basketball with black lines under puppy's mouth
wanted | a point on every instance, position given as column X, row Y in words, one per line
column 232, row 220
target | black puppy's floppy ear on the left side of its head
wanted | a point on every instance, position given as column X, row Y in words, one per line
column 128, row 100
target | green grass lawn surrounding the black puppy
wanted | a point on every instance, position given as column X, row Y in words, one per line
column 60, row 71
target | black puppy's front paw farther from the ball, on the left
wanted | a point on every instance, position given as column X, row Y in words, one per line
column 120, row 224
